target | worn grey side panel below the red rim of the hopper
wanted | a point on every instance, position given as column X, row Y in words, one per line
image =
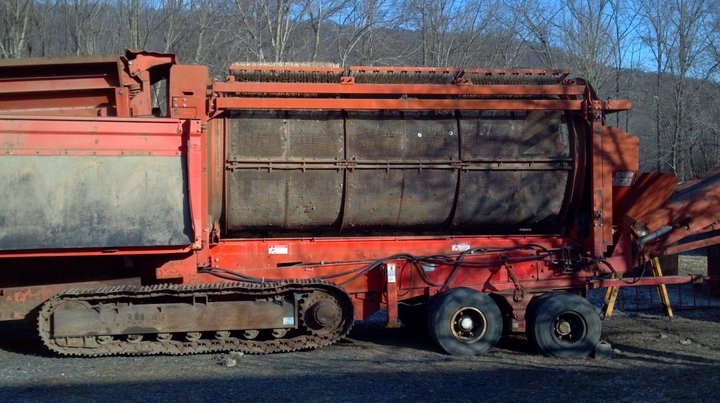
column 93, row 202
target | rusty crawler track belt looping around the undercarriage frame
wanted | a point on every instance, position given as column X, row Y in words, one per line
column 178, row 347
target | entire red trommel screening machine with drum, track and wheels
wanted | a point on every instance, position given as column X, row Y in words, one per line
column 268, row 211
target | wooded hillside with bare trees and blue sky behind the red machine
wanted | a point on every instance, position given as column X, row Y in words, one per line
column 663, row 55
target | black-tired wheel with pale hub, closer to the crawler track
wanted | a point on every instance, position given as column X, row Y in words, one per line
column 460, row 307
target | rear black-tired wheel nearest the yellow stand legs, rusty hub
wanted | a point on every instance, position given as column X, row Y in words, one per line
column 561, row 324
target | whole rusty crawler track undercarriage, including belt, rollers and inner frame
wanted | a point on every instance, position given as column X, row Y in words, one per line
column 255, row 318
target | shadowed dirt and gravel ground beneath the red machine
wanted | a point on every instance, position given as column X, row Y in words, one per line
column 654, row 359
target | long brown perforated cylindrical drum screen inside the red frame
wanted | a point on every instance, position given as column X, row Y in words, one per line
column 390, row 172
